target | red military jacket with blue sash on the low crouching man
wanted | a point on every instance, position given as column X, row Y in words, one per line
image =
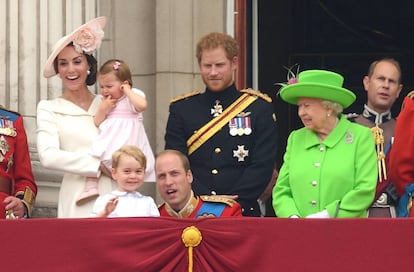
column 204, row 206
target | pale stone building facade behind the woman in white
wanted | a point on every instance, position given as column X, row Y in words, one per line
column 155, row 37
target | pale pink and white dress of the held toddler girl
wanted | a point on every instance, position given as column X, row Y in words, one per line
column 123, row 126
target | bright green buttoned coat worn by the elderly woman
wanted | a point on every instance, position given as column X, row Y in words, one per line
column 339, row 174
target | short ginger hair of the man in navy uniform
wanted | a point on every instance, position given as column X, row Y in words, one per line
column 215, row 40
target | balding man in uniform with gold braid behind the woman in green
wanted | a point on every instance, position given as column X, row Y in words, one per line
column 383, row 86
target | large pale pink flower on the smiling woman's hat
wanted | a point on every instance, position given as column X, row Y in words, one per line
column 88, row 39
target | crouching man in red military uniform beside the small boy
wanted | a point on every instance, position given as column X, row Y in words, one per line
column 174, row 179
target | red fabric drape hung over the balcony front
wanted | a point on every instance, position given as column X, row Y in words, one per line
column 228, row 244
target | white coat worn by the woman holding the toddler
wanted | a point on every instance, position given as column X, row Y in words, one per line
column 65, row 133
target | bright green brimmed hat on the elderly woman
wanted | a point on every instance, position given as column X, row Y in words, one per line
column 321, row 84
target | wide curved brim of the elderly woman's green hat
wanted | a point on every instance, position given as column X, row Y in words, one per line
column 291, row 93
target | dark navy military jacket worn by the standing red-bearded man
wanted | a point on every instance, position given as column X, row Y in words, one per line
column 225, row 164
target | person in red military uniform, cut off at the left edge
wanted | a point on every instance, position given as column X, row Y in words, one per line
column 17, row 186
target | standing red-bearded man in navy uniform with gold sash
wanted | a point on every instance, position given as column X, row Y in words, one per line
column 228, row 135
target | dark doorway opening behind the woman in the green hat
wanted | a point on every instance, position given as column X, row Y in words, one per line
column 344, row 36
